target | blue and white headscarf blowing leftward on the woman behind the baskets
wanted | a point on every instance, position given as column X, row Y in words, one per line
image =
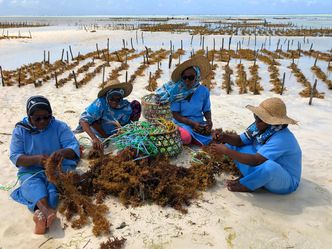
column 177, row 91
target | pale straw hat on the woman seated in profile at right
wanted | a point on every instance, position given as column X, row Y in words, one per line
column 272, row 111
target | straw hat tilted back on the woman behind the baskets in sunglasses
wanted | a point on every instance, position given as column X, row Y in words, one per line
column 199, row 60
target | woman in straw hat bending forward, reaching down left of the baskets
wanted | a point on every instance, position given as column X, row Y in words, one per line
column 109, row 112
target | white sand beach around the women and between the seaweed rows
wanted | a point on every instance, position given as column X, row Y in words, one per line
column 219, row 219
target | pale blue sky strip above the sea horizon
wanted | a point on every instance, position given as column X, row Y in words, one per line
column 163, row 7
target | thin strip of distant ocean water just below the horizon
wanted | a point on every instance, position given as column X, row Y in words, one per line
column 305, row 21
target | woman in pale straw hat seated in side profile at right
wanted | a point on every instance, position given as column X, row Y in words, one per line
column 267, row 153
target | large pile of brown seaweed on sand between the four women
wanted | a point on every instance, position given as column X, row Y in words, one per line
column 134, row 183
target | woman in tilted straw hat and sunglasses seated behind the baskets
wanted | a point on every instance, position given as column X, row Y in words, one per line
column 190, row 101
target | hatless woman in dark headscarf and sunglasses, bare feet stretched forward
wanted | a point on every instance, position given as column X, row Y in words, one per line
column 35, row 139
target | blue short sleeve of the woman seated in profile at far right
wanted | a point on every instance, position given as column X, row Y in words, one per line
column 273, row 148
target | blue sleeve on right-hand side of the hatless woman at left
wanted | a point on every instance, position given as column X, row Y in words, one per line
column 68, row 139
